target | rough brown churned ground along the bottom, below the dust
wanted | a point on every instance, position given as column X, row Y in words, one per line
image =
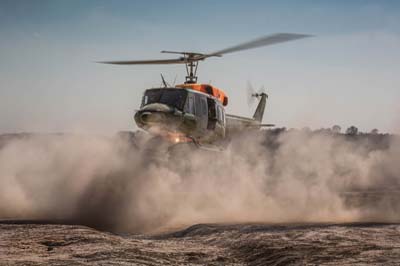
column 30, row 243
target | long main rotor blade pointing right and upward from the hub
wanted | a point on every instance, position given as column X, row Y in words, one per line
column 263, row 41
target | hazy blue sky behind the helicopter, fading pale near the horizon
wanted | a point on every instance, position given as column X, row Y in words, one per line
column 348, row 74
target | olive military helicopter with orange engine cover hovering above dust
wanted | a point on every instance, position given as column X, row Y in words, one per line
column 195, row 112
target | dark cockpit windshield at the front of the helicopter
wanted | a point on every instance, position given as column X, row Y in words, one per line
column 171, row 97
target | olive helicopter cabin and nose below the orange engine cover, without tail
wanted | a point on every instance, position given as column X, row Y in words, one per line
column 182, row 114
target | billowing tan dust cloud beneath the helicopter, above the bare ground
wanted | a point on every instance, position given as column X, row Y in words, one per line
column 120, row 184
